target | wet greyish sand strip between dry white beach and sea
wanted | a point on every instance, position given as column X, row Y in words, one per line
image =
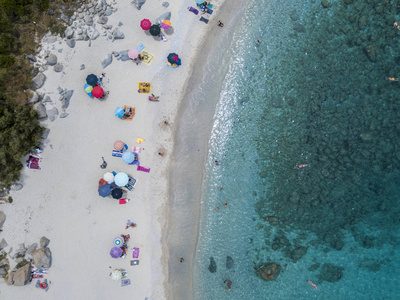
column 194, row 121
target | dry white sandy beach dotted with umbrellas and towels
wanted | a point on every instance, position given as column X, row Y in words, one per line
column 61, row 201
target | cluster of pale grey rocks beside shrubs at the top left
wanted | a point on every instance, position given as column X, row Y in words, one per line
column 83, row 23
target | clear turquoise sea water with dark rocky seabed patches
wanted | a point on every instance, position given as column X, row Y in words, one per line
column 312, row 92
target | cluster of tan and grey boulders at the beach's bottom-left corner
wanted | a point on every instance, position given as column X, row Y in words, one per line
column 23, row 258
